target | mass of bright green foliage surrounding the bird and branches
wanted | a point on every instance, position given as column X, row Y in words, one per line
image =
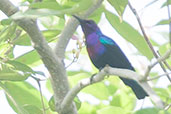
column 24, row 98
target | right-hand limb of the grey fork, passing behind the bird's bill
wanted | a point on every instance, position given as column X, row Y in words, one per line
column 70, row 28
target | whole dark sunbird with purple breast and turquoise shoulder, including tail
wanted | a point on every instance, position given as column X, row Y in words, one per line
column 104, row 51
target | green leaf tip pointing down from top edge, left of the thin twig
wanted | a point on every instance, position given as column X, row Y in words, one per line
column 119, row 5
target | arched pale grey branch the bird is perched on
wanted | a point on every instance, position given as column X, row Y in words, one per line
column 113, row 72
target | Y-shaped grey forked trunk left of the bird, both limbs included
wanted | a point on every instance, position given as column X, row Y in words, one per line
column 52, row 61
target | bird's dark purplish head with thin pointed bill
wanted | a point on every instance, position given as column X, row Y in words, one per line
column 88, row 26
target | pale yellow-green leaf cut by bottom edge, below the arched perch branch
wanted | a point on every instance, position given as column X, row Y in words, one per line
column 112, row 110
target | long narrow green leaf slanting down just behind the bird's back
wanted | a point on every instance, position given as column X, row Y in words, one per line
column 130, row 34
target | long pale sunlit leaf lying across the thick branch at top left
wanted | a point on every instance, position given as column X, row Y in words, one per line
column 36, row 13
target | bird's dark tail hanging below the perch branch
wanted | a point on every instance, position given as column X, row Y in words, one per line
column 137, row 89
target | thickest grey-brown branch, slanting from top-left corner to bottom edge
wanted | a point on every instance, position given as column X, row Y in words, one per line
column 54, row 65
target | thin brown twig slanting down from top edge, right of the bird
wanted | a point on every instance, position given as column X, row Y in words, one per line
column 146, row 38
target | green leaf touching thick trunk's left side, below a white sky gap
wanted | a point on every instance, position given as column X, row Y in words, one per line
column 30, row 58
